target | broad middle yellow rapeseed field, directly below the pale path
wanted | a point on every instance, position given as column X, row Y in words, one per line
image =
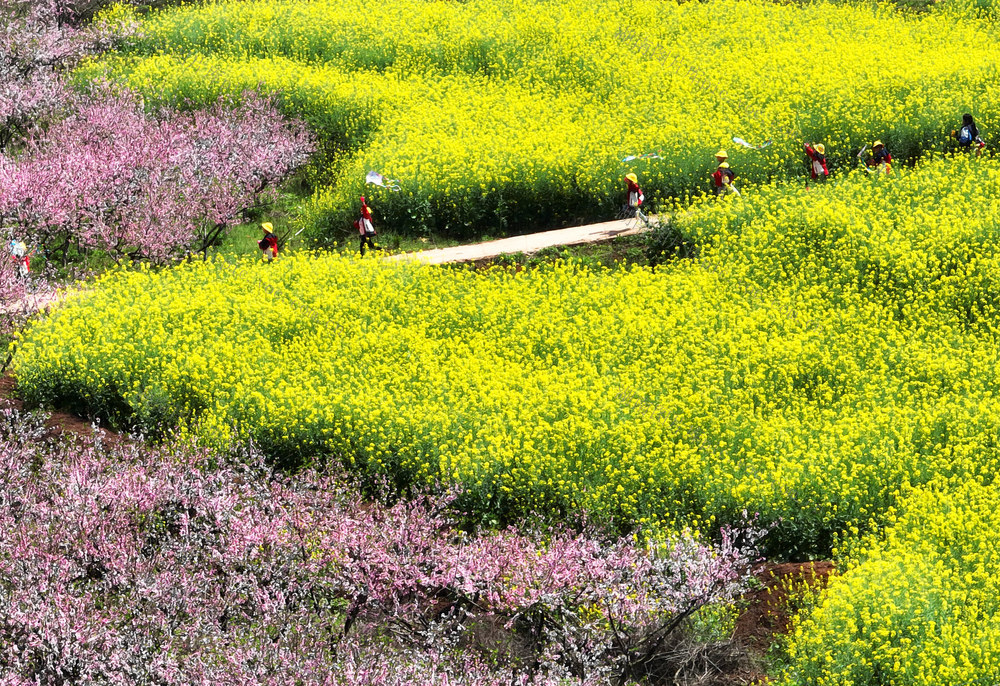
column 781, row 373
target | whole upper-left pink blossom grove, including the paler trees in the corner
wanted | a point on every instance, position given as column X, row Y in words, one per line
column 94, row 172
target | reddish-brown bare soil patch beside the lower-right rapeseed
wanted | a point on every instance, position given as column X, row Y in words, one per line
column 770, row 609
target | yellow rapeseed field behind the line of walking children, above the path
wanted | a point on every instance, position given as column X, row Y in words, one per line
column 507, row 115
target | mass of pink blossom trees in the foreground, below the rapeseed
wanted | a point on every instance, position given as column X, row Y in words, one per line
column 129, row 565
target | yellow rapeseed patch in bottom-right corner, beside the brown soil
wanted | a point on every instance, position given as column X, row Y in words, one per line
column 919, row 605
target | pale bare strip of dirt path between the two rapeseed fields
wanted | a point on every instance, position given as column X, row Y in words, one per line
column 529, row 243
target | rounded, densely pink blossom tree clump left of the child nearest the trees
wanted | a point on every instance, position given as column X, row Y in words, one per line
column 112, row 178
